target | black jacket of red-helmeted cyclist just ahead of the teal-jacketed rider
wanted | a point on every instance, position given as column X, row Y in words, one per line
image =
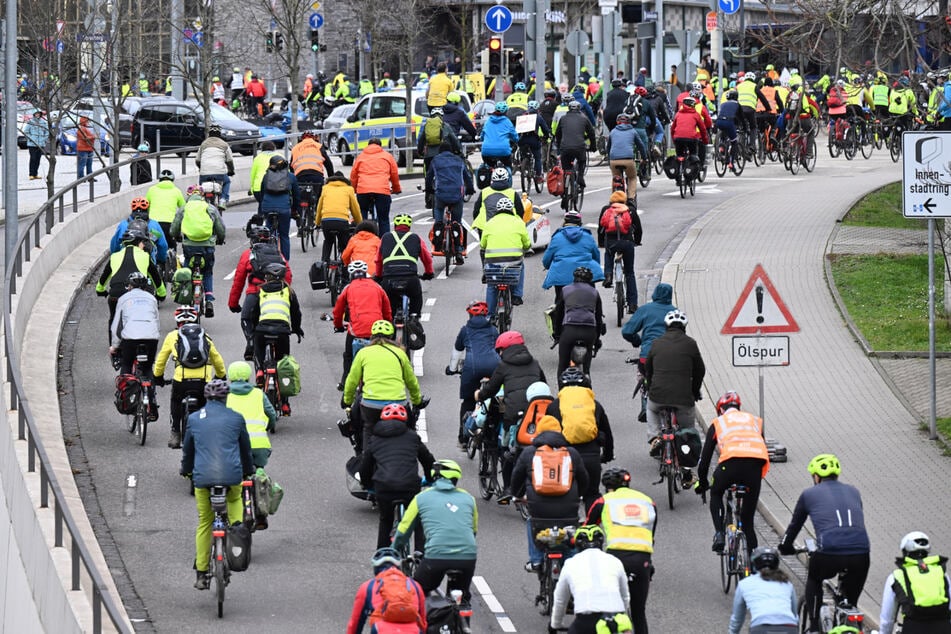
column 389, row 461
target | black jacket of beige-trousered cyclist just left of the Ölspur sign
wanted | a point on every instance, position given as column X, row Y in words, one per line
column 674, row 369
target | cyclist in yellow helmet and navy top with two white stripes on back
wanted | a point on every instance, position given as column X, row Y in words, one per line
column 843, row 545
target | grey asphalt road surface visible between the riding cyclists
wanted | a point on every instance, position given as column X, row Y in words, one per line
column 308, row 564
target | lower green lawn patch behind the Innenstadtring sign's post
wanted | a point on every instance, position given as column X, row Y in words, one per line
column 887, row 298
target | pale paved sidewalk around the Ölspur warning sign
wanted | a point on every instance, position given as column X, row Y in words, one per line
column 832, row 397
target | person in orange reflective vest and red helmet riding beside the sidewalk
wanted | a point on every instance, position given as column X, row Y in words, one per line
column 744, row 460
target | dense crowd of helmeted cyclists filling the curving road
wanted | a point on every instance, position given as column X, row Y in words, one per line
column 553, row 438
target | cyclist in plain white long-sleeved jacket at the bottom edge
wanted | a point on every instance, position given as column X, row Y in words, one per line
column 594, row 579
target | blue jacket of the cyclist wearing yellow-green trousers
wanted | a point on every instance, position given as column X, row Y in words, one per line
column 217, row 448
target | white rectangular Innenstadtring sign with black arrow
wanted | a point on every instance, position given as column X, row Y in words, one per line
column 926, row 175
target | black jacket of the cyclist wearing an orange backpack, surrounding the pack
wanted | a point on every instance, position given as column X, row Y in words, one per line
column 550, row 507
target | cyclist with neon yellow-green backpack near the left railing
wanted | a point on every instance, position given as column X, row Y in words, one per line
column 199, row 227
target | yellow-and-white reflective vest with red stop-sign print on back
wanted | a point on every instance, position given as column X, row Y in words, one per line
column 628, row 518
